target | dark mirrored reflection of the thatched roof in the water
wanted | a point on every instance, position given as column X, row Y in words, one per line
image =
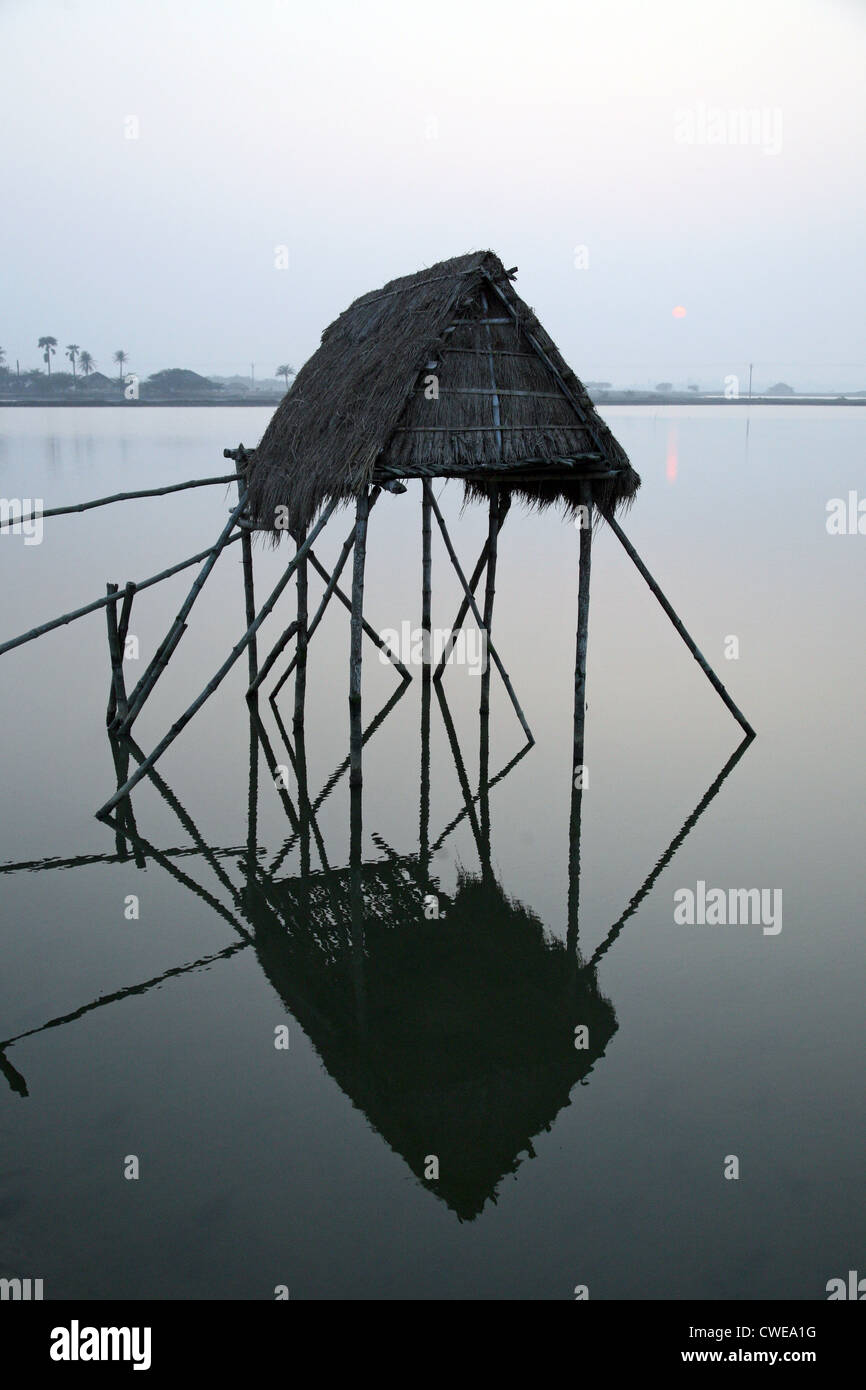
column 454, row 1035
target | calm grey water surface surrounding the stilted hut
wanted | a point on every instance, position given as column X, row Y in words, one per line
column 454, row 1038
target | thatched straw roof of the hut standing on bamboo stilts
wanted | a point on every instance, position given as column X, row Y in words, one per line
column 504, row 408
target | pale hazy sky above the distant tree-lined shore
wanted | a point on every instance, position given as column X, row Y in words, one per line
column 376, row 138
